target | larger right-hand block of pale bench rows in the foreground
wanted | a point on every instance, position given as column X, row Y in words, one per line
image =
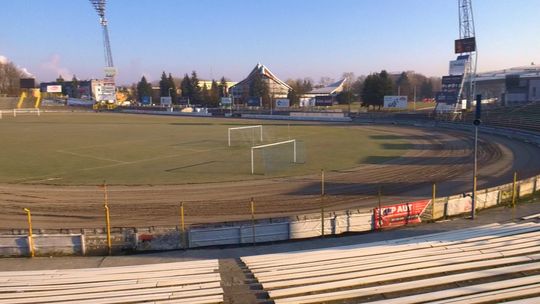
column 490, row 263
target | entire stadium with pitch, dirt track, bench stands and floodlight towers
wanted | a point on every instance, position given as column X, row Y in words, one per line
column 264, row 202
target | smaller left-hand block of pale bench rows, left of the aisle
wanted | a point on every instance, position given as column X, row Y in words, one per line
column 194, row 282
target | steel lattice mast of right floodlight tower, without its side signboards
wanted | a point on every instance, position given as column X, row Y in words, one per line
column 467, row 32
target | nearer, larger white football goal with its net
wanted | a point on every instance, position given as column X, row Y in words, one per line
column 276, row 157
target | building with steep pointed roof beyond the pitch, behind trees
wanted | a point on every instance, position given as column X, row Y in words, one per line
column 276, row 87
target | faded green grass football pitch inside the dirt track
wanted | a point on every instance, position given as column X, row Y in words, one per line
column 87, row 148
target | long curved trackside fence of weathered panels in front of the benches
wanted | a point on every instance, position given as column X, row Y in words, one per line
column 18, row 242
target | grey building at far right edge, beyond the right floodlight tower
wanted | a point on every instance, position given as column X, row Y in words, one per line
column 510, row 86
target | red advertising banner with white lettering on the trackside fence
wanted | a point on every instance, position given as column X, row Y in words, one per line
column 400, row 214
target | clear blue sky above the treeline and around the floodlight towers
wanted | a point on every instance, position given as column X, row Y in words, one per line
column 294, row 38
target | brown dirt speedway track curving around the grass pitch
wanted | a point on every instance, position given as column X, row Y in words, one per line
column 440, row 156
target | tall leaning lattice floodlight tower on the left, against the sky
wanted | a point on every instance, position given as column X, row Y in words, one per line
column 109, row 87
